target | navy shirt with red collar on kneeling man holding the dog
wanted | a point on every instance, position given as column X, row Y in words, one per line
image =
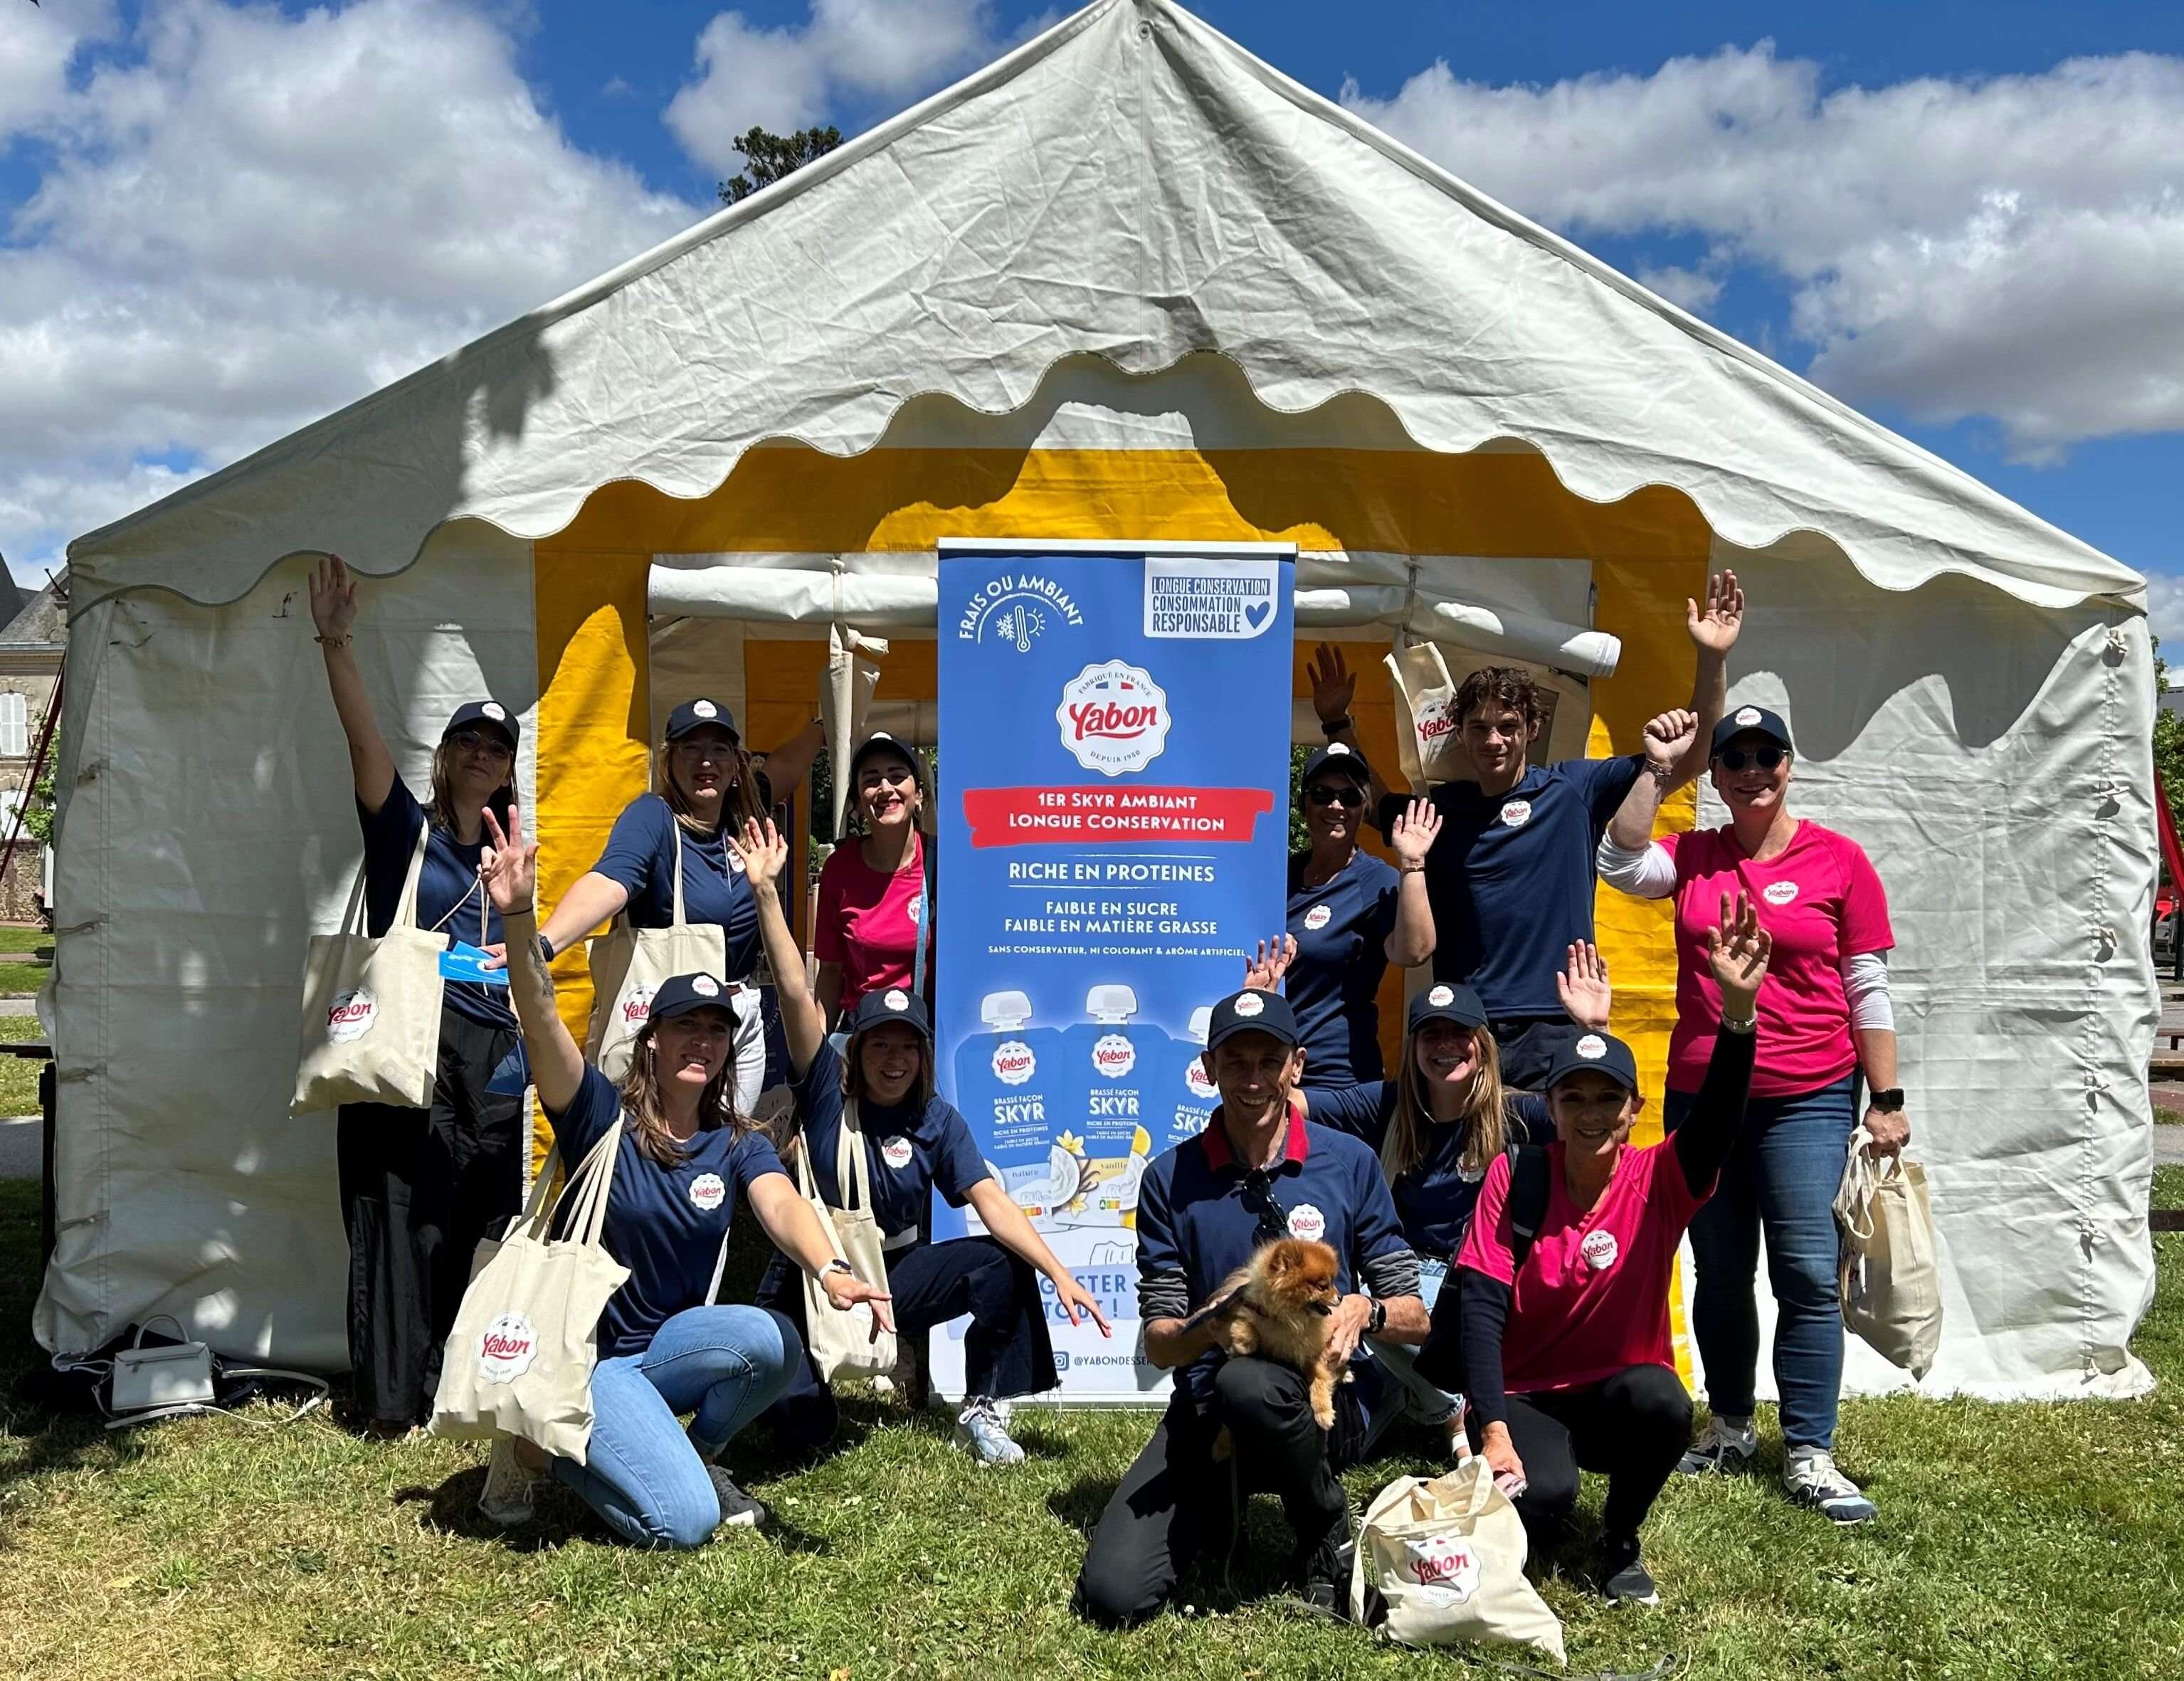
column 1196, row 1215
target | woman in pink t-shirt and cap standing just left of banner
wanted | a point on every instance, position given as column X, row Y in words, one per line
column 875, row 925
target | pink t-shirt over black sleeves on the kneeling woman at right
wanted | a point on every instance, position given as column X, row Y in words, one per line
column 1595, row 1289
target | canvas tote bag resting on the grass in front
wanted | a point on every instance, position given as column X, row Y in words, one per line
column 1443, row 1562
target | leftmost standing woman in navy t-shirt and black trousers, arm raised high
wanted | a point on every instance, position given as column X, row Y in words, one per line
column 423, row 1187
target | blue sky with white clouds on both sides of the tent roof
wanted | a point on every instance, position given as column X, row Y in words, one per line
column 224, row 222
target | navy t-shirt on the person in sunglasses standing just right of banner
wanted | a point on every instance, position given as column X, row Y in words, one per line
column 1342, row 953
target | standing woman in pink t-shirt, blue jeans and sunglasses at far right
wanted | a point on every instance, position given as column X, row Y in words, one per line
column 1827, row 1023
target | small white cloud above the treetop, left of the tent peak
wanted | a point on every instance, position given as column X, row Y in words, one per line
column 787, row 80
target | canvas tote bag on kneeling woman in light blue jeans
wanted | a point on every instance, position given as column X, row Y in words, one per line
column 525, row 1339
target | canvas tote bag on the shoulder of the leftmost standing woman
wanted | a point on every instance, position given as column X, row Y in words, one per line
column 372, row 1008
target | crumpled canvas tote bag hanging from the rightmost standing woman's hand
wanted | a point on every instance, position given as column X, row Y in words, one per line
column 1892, row 1287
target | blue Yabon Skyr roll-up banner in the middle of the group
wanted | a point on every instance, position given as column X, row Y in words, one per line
column 1115, row 741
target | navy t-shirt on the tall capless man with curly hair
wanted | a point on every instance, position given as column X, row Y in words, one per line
column 1510, row 879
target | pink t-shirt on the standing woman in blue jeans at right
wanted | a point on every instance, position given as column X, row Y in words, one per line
column 1823, row 903
